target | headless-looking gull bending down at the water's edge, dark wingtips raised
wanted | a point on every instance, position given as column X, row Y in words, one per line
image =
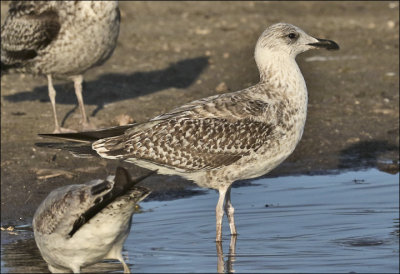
column 79, row 225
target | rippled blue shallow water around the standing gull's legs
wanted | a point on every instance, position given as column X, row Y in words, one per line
column 330, row 223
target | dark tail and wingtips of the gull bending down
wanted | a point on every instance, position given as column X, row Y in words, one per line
column 123, row 183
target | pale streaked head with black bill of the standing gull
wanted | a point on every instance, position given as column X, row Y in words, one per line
column 287, row 40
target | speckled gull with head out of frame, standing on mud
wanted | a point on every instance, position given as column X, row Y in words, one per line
column 59, row 39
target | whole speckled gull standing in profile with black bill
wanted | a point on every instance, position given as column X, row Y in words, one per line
column 218, row 140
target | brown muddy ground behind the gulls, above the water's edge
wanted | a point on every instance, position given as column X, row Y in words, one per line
column 171, row 53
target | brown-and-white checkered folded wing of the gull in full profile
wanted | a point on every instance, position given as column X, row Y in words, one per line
column 205, row 134
